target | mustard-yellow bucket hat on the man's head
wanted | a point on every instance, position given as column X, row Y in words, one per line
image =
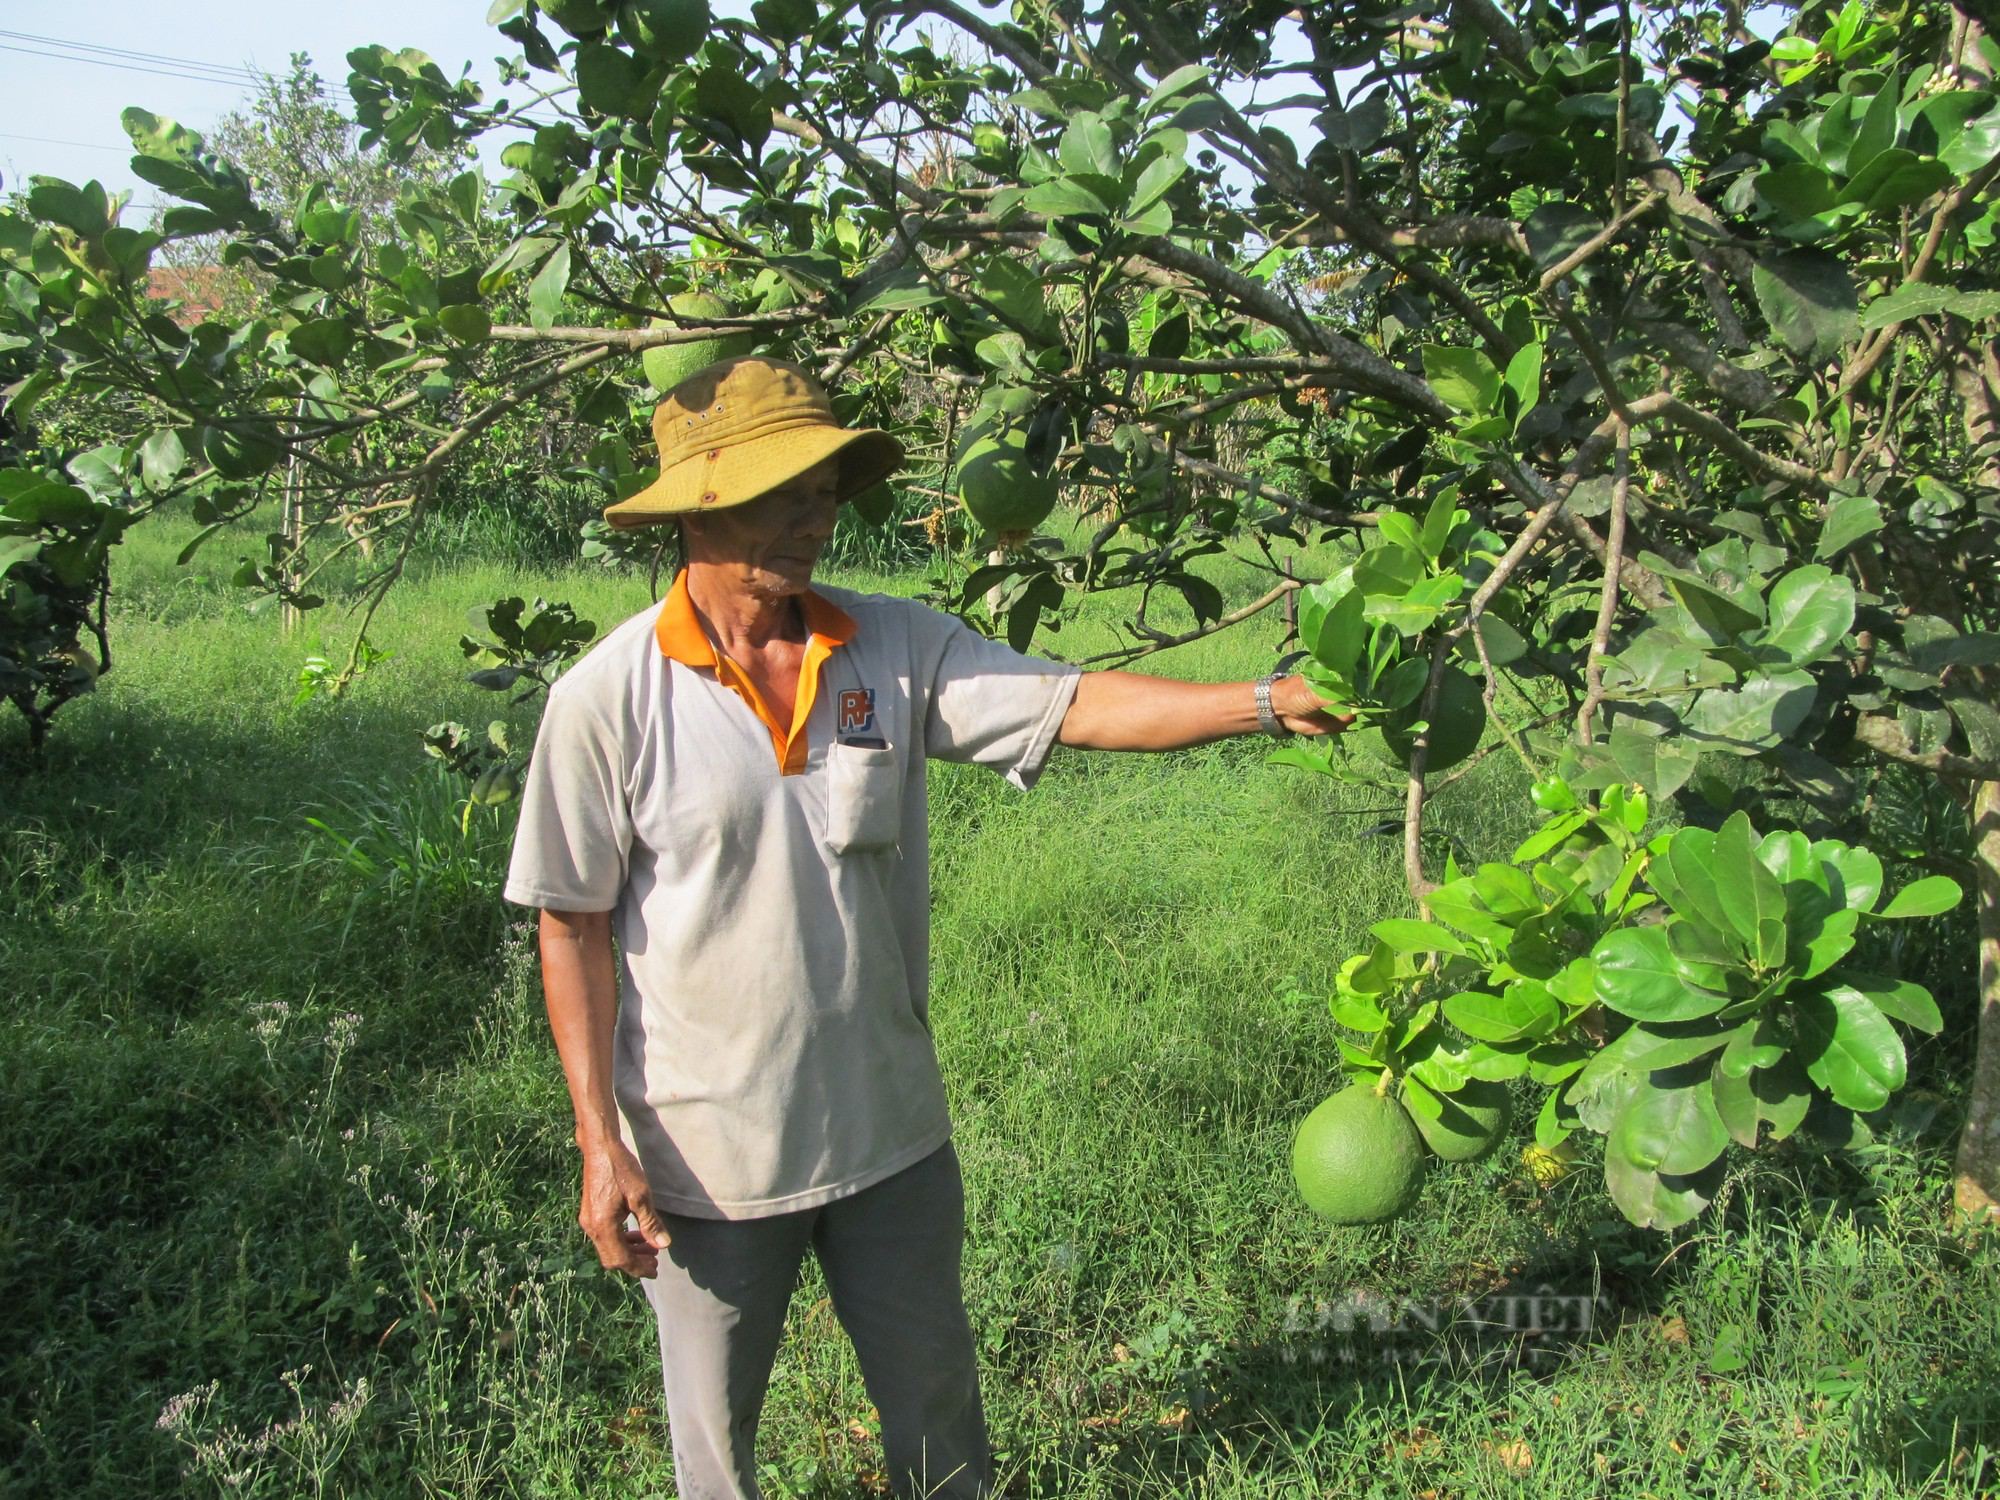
column 739, row 429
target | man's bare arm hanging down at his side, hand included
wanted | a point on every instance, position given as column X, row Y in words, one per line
column 581, row 987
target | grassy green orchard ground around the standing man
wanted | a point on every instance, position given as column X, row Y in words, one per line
column 289, row 1191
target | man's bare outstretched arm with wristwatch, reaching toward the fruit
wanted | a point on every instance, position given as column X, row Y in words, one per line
column 1131, row 711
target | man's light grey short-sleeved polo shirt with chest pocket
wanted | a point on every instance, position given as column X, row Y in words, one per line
column 773, row 1045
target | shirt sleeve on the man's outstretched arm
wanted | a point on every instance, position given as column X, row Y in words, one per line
column 991, row 705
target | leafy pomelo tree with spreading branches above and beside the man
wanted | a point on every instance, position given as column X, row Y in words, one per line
column 1647, row 361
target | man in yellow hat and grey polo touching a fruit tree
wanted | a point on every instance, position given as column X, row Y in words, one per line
column 733, row 785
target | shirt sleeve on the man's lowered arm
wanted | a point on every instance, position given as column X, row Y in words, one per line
column 575, row 819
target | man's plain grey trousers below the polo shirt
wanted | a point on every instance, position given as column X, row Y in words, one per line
column 891, row 1257
